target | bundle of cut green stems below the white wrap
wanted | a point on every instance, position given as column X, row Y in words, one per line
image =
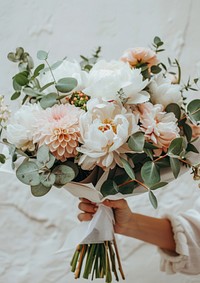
column 100, row 261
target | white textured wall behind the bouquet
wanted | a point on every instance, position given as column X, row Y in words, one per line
column 34, row 229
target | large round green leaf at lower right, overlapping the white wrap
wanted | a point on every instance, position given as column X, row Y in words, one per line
column 150, row 173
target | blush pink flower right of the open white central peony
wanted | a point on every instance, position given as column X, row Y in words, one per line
column 160, row 128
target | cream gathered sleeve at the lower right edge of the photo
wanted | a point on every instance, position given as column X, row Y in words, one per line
column 186, row 228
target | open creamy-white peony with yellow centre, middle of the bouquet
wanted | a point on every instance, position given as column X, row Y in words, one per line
column 104, row 130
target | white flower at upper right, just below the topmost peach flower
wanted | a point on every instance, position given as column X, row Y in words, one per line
column 162, row 91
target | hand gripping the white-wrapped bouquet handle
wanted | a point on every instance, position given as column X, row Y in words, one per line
column 121, row 210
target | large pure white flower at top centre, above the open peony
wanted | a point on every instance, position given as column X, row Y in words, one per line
column 107, row 78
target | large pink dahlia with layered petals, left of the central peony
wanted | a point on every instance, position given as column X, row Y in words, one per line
column 58, row 128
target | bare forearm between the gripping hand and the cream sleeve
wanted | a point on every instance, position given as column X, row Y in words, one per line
column 151, row 230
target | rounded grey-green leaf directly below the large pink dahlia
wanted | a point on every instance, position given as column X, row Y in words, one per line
column 64, row 174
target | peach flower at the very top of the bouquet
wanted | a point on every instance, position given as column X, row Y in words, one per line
column 140, row 55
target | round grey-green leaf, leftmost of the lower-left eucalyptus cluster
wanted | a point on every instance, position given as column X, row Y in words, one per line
column 28, row 173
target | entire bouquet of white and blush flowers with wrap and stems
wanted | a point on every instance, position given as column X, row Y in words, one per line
column 100, row 130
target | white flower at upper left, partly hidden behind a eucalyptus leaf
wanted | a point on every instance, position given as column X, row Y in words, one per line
column 65, row 69
